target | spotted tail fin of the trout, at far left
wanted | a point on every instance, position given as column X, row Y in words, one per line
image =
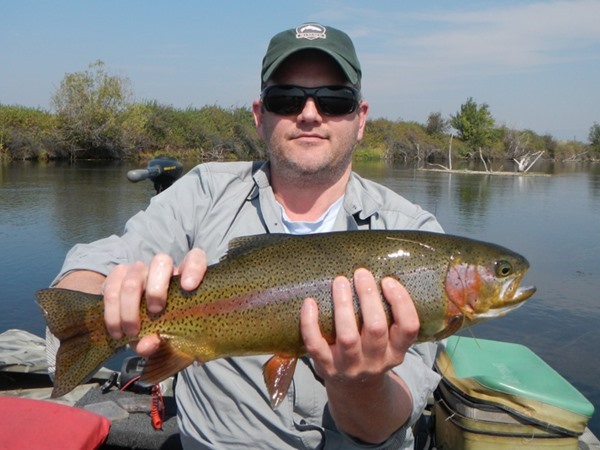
column 77, row 320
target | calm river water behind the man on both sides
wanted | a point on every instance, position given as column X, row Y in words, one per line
column 552, row 220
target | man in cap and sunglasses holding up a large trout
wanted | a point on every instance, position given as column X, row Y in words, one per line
column 365, row 390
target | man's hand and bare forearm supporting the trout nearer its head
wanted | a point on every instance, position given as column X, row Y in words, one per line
column 366, row 399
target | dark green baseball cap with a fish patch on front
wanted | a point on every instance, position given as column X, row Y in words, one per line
column 332, row 41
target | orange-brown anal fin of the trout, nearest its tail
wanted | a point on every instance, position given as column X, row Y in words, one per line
column 164, row 362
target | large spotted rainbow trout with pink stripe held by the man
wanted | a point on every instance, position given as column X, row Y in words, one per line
column 249, row 303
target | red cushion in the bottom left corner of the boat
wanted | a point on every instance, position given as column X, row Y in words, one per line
column 37, row 424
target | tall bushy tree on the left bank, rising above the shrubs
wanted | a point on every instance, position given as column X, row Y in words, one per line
column 88, row 105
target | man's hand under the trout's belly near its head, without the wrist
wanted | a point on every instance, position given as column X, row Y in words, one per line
column 372, row 350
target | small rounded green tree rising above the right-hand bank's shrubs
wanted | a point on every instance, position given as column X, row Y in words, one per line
column 474, row 124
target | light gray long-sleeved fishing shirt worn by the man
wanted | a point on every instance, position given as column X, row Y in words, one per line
column 223, row 404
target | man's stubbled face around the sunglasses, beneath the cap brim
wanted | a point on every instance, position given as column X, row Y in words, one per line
column 310, row 144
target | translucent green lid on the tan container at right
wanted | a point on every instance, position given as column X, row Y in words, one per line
column 514, row 370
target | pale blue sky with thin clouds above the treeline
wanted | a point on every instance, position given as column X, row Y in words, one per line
column 535, row 63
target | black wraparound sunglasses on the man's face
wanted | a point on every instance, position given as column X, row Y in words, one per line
column 287, row 100
